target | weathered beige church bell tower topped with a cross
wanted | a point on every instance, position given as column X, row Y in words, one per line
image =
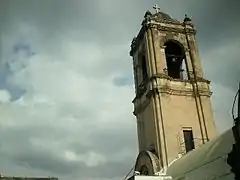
column 172, row 103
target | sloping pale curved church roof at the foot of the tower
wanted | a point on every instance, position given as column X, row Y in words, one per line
column 209, row 160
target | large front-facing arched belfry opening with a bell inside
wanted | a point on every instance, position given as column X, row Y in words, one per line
column 175, row 57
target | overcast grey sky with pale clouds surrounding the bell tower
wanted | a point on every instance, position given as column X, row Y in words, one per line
column 66, row 81
